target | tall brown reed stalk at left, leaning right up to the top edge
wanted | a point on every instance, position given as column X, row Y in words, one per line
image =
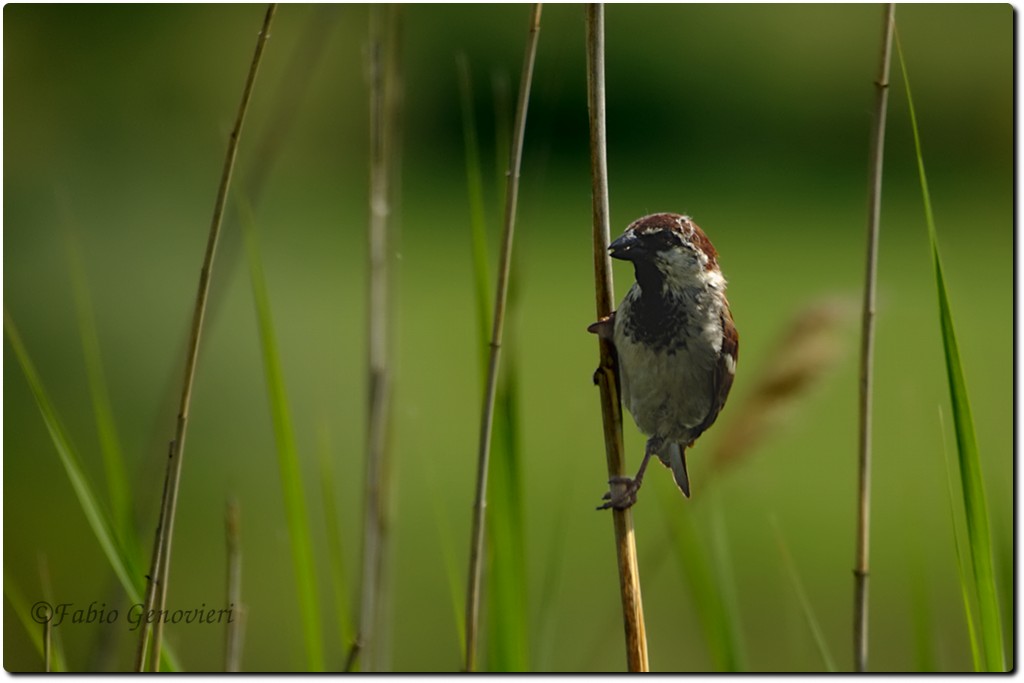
column 159, row 572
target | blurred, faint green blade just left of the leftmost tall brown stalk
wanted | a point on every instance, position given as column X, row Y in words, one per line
column 118, row 485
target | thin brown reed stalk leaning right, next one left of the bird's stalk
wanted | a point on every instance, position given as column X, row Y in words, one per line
column 487, row 420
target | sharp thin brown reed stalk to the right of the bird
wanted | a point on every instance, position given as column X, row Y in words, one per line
column 861, row 572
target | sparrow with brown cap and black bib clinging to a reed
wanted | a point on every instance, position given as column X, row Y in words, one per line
column 676, row 343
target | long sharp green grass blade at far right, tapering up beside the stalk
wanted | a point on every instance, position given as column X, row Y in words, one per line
column 972, row 485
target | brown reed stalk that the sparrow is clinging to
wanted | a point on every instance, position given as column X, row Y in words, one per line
column 607, row 376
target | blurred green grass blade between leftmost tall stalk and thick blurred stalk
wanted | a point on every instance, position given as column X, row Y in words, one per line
column 288, row 459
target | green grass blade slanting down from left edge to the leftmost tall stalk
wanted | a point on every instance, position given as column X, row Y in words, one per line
column 95, row 515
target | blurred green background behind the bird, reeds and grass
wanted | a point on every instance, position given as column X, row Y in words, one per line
column 755, row 120
